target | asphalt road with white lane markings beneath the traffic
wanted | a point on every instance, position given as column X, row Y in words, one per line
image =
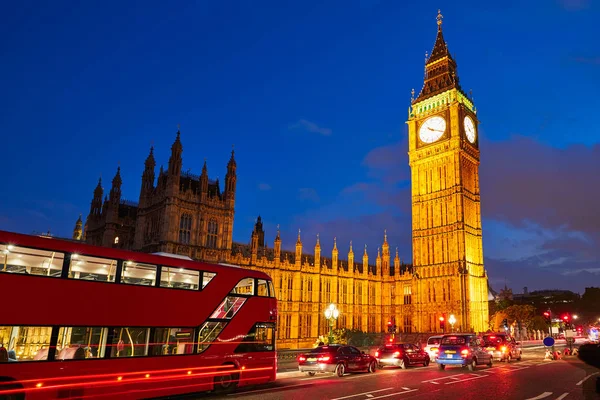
column 532, row 379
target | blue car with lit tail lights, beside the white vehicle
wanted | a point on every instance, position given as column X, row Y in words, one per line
column 464, row 349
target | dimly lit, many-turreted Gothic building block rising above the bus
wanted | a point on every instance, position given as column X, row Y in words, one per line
column 177, row 213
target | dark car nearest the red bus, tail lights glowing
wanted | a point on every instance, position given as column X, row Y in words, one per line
column 337, row 359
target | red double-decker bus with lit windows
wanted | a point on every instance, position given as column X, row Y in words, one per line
column 79, row 321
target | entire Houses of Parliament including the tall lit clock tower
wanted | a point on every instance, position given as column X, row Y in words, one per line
column 191, row 215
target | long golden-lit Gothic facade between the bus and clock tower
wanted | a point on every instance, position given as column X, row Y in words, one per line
column 368, row 296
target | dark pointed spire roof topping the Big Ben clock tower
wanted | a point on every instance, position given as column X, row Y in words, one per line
column 440, row 68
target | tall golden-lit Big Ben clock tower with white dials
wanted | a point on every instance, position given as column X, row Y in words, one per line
column 443, row 138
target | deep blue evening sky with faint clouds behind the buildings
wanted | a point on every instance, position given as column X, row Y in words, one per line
column 314, row 96
